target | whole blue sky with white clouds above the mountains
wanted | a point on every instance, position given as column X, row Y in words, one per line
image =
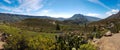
column 61, row 8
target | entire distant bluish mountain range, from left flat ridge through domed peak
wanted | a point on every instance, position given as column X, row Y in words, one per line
column 6, row 17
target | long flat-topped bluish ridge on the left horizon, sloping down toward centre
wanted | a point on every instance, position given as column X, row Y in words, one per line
column 6, row 17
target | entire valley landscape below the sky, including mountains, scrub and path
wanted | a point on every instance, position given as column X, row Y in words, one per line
column 23, row 32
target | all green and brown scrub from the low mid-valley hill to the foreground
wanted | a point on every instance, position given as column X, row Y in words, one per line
column 32, row 35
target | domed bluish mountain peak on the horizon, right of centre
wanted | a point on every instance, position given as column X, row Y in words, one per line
column 81, row 19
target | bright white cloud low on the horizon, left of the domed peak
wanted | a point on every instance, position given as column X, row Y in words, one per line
column 52, row 14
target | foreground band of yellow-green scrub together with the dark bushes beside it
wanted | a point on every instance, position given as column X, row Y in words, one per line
column 29, row 40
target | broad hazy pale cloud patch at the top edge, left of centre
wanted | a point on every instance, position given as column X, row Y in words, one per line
column 30, row 5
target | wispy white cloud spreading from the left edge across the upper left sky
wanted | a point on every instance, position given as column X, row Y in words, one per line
column 24, row 6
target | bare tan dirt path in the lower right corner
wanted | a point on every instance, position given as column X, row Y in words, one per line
column 110, row 43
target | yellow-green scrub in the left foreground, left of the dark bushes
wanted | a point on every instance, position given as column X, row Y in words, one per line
column 27, row 40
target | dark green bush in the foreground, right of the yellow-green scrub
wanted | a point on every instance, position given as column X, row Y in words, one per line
column 70, row 41
